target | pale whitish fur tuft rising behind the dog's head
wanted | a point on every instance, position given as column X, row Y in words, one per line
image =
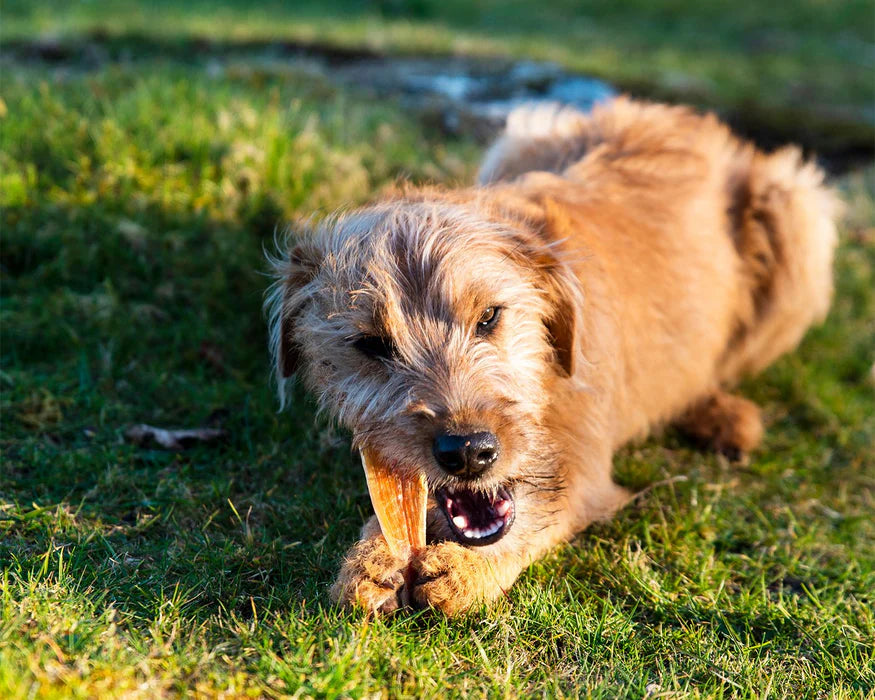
column 539, row 136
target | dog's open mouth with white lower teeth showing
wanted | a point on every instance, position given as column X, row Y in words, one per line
column 477, row 518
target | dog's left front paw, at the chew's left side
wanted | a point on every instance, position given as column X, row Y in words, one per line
column 371, row 577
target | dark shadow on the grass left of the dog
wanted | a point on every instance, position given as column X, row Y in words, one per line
column 101, row 333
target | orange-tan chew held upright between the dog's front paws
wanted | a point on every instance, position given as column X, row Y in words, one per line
column 399, row 501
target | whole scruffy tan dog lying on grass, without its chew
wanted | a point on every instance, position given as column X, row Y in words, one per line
column 611, row 273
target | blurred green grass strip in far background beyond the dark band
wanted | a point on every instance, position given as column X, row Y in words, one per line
column 801, row 69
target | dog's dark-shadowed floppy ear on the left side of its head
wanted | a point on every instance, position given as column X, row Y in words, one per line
column 296, row 271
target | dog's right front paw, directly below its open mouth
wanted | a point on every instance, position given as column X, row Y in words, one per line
column 452, row 578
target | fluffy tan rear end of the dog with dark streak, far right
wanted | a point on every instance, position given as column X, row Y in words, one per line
column 784, row 229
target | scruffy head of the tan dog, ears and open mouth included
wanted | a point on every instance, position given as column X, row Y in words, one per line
column 433, row 334
